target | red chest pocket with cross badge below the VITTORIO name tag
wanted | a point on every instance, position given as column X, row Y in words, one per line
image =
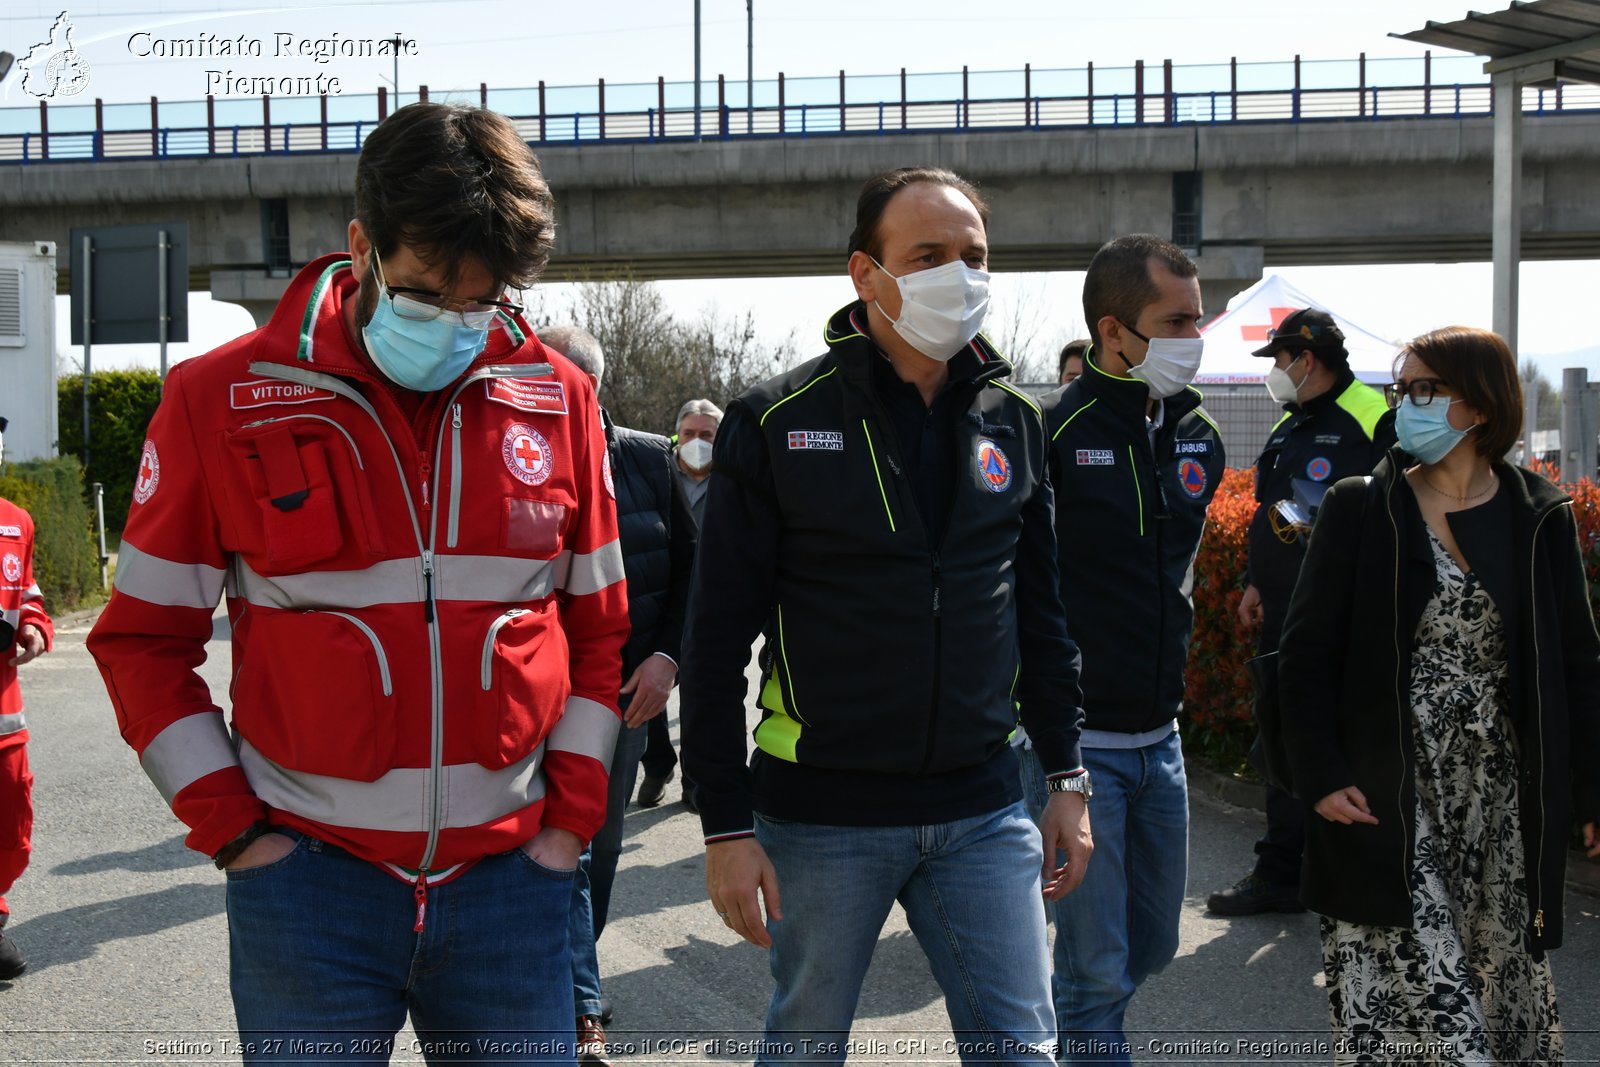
column 300, row 497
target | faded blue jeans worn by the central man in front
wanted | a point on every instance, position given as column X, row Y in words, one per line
column 972, row 897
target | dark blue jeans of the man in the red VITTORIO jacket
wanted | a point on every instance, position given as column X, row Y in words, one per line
column 326, row 965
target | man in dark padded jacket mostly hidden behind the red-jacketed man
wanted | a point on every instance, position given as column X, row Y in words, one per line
column 658, row 556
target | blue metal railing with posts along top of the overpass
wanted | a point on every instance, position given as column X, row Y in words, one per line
column 1132, row 103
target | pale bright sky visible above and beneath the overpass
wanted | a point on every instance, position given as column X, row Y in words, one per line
column 463, row 42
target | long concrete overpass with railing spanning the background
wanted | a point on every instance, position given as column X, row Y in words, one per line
column 1247, row 178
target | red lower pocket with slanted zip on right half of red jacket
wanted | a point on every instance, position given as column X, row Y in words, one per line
column 522, row 685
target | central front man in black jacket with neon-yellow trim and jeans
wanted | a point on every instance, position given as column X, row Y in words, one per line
column 882, row 514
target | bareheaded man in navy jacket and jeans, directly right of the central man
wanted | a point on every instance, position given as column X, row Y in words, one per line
column 1135, row 462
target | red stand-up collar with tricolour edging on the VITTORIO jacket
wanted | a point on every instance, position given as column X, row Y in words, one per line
column 310, row 329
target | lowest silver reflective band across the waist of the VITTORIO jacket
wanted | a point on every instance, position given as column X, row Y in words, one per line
column 399, row 801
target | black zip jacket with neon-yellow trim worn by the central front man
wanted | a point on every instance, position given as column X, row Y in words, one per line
column 894, row 666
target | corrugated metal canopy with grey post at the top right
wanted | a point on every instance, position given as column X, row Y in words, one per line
column 1530, row 44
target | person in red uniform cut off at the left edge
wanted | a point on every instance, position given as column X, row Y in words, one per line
column 26, row 634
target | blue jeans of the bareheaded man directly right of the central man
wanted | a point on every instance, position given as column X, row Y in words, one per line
column 1121, row 925
